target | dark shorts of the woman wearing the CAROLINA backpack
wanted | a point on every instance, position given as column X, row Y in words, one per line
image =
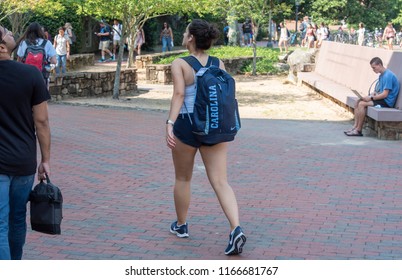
column 183, row 130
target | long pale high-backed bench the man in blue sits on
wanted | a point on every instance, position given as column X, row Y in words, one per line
column 342, row 67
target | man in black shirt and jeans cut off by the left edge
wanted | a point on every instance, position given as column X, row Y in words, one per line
column 23, row 119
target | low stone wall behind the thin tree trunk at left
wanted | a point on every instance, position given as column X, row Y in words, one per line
column 91, row 84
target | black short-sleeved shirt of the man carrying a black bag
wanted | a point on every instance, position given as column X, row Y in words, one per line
column 21, row 87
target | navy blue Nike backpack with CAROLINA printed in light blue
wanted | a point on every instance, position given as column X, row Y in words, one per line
column 216, row 112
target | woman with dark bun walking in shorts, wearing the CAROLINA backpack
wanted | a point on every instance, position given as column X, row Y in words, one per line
column 197, row 38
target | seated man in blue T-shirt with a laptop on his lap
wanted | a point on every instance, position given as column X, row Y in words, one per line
column 388, row 89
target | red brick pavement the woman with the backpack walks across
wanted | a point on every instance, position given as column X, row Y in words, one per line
column 305, row 191
